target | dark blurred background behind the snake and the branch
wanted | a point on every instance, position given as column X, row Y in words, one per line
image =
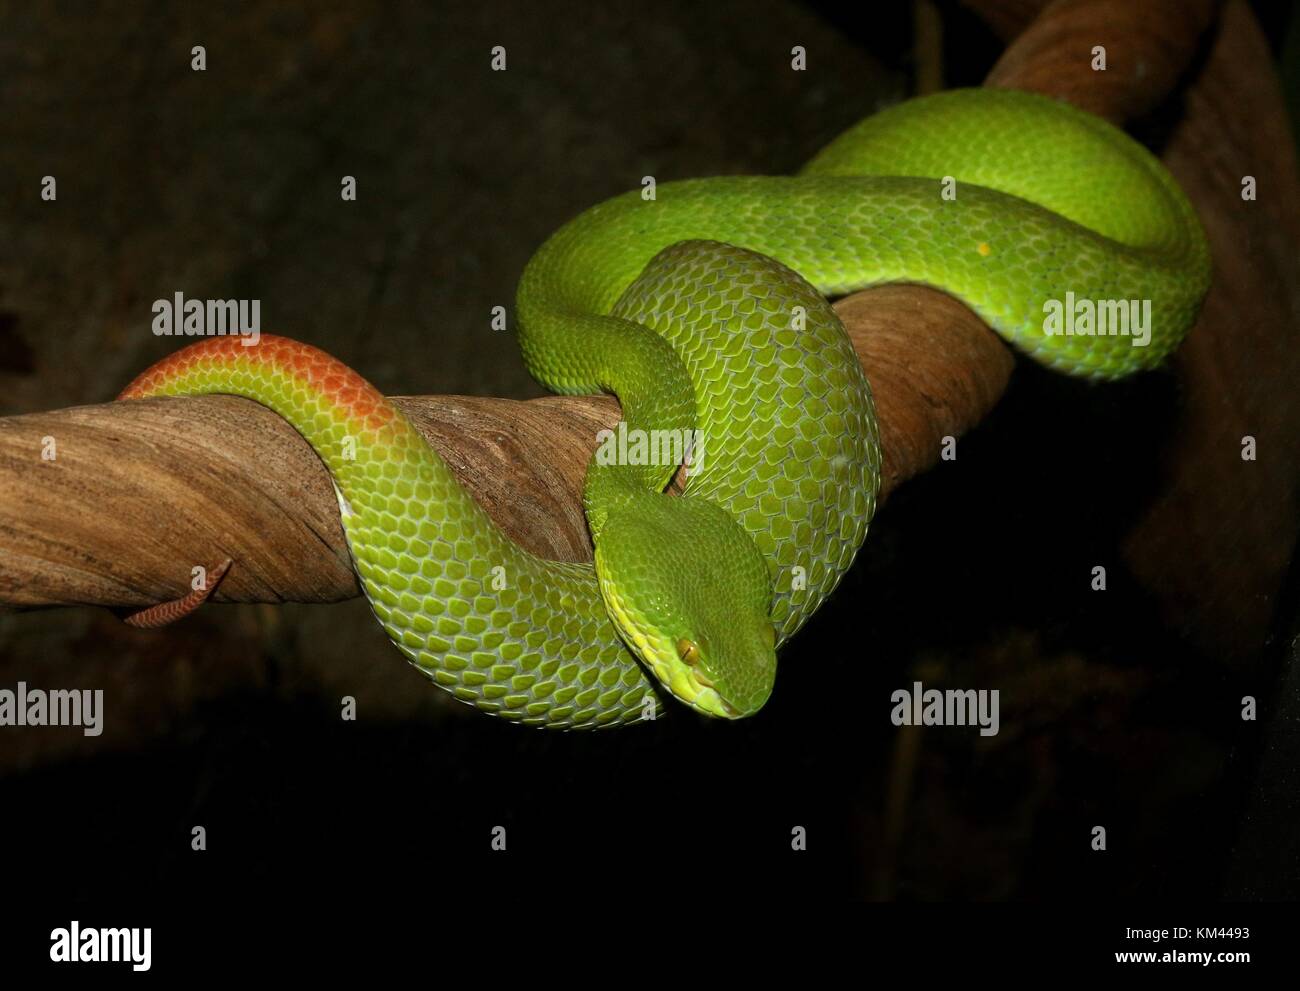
column 227, row 184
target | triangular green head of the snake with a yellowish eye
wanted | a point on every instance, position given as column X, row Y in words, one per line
column 691, row 596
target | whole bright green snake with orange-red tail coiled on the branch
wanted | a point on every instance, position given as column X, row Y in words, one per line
column 705, row 309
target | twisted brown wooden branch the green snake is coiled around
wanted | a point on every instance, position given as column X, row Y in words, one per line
column 140, row 494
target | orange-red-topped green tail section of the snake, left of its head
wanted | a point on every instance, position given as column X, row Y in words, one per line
column 502, row 630
